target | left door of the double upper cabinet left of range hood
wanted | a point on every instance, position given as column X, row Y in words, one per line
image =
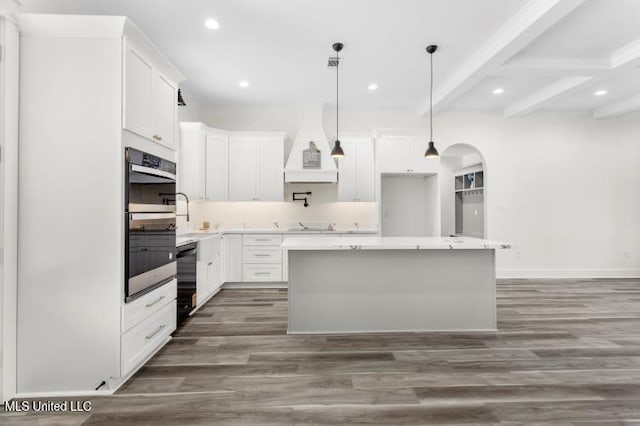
column 243, row 171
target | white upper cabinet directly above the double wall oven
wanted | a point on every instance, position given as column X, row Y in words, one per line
column 150, row 93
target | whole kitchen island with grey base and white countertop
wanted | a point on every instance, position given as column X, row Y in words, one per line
column 391, row 284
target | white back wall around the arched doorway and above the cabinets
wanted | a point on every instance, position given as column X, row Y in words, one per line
column 563, row 188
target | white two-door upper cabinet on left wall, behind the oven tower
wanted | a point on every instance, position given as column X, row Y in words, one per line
column 202, row 162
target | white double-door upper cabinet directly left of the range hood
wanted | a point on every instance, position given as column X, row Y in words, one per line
column 256, row 164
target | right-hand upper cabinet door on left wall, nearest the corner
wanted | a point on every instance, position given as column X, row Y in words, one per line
column 216, row 174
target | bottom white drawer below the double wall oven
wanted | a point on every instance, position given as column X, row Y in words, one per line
column 146, row 337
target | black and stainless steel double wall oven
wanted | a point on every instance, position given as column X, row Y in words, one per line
column 150, row 235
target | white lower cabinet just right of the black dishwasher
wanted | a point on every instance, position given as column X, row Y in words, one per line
column 208, row 268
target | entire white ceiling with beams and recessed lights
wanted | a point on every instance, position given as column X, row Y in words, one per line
column 546, row 54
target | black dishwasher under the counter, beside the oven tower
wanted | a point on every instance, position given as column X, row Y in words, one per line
column 187, row 256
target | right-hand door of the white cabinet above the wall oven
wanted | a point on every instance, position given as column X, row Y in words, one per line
column 165, row 112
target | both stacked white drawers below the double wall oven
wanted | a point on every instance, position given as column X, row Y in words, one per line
column 147, row 323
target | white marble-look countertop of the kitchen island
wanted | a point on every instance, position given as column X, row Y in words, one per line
column 392, row 243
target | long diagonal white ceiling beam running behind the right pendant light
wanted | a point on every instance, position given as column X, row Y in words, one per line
column 533, row 20
